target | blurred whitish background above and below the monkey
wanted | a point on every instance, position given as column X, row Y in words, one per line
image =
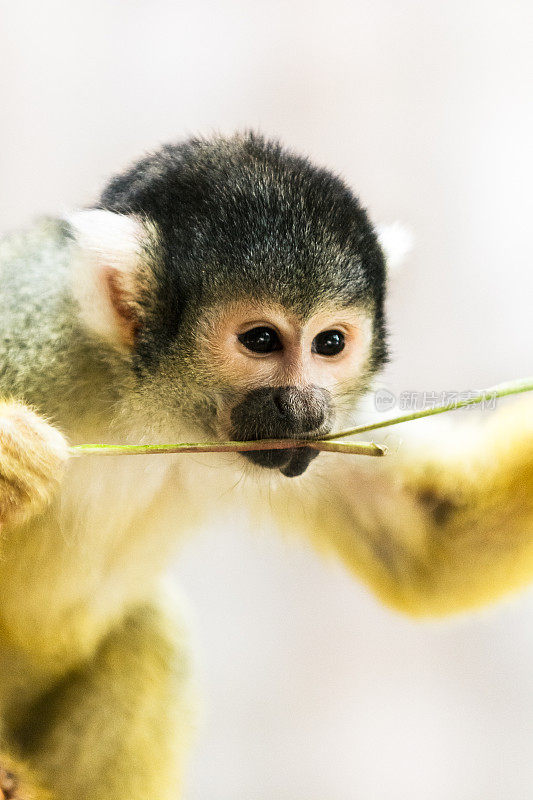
column 312, row 689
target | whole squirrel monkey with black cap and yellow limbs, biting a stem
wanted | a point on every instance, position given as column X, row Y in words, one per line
column 221, row 288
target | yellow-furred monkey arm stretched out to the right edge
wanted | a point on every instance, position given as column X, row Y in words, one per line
column 432, row 530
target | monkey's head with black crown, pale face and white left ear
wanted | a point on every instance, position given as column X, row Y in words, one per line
column 243, row 288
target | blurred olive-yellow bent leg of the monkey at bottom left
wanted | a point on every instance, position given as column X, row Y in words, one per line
column 119, row 726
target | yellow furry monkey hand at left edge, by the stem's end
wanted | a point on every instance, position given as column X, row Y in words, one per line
column 32, row 457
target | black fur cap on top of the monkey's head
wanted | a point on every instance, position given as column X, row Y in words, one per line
column 244, row 216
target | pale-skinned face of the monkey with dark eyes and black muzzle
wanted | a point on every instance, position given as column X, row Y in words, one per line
column 283, row 374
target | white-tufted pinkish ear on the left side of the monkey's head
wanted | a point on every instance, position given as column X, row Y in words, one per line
column 106, row 273
